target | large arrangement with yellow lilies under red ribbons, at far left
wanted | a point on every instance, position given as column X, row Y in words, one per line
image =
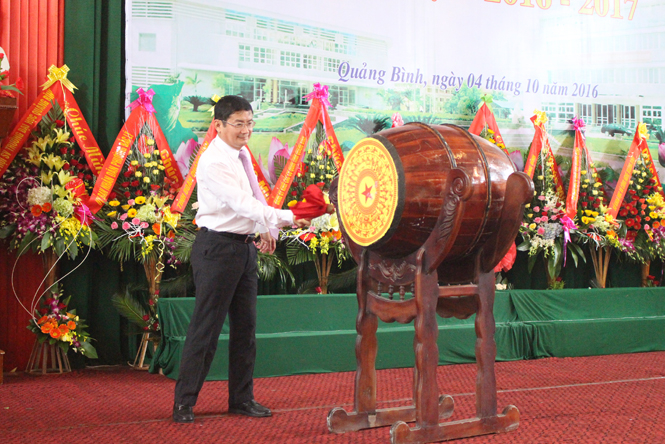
column 42, row 193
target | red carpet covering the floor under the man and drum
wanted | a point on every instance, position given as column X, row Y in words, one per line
column 604, row 399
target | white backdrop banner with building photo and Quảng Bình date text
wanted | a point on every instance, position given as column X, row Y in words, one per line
column 601, row 60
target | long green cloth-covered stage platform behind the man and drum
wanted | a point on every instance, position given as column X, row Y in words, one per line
column 299, row 334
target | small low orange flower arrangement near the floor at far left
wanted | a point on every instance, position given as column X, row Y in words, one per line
column 57, row 324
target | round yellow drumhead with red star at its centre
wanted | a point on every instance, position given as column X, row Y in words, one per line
column 368, row 192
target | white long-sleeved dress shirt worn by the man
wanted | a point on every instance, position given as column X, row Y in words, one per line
column 226, row 201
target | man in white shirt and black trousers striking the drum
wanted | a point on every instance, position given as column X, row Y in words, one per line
column 224, row 264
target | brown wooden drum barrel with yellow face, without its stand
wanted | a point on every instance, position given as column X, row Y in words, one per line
column 395, row 184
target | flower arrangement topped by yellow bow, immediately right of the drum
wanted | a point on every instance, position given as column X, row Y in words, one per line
column 546, row 228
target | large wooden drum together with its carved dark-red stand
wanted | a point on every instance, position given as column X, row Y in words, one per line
column 421, row 206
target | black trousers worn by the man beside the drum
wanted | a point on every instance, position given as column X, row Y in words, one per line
column 226, row 282
